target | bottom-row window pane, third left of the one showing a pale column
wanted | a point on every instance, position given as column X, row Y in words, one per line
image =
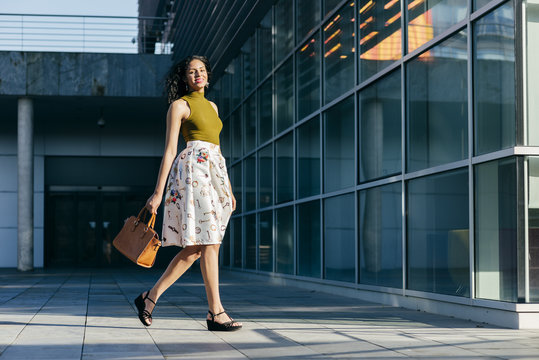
column 285, row 240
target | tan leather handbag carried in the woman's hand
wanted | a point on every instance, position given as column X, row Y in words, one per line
column 137, row 240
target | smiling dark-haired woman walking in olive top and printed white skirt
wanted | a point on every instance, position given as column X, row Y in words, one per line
column 198, row 196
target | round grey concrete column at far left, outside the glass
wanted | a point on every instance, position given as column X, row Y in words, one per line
column 25, row 193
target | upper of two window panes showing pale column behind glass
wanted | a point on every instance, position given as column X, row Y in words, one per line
column 380, row 122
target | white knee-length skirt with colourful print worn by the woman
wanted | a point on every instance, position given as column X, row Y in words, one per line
column 198, row 202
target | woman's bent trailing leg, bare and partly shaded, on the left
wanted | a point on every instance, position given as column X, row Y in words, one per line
column 181, row 262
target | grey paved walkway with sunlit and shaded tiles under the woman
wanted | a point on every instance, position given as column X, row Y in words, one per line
column 88, row 314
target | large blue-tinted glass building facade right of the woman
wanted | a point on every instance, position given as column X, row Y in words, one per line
column 392, row 166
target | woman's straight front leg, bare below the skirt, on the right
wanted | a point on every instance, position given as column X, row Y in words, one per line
column 209, row 265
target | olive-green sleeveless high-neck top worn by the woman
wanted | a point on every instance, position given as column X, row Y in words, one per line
column 203, row 123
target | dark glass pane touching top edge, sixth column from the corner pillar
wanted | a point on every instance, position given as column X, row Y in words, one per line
column 284, row 29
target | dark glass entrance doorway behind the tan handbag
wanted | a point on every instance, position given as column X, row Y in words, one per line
column 81, row 225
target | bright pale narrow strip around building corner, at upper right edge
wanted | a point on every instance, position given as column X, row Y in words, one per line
column 532, row 72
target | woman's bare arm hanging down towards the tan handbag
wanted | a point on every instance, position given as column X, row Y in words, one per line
column 177, row 111
